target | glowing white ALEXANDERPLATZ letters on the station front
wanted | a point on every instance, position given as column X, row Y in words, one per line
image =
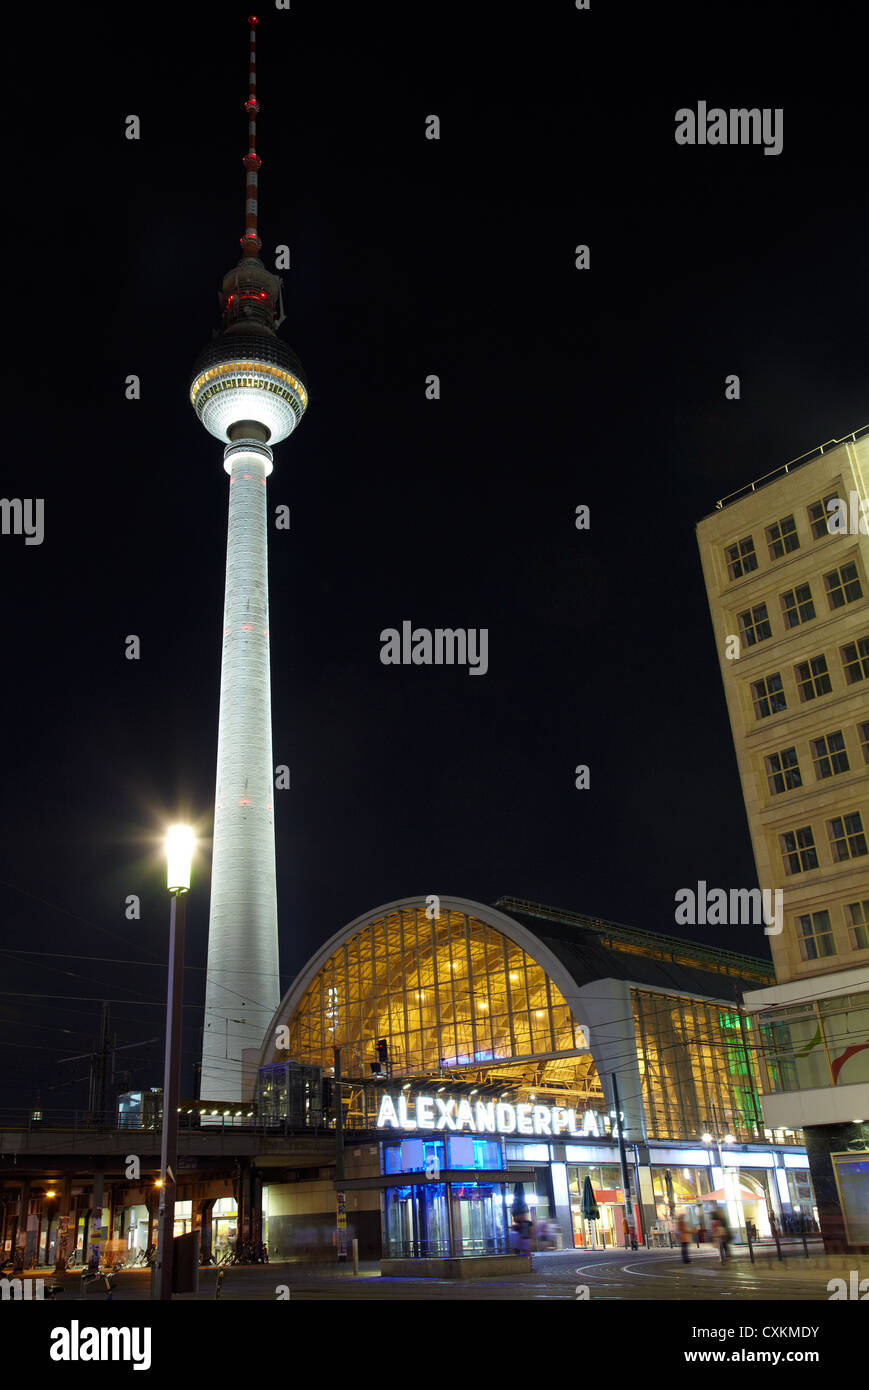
column 447, row 1113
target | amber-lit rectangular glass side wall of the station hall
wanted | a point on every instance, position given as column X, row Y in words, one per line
column 695, row 1057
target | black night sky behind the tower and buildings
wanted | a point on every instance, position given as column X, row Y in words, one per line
column 560, row 387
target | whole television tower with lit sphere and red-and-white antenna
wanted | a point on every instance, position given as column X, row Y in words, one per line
column 250, row 391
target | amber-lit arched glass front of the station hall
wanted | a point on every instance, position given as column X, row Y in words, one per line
column 450, row 997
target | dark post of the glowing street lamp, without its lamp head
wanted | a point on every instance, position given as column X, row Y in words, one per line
column 169, row 1152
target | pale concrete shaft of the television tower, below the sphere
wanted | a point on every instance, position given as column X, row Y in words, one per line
column 243, row 988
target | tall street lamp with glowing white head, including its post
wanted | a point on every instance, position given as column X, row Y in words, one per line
column 180, row 851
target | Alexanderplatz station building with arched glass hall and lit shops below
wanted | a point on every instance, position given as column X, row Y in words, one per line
column 479, row 1047
